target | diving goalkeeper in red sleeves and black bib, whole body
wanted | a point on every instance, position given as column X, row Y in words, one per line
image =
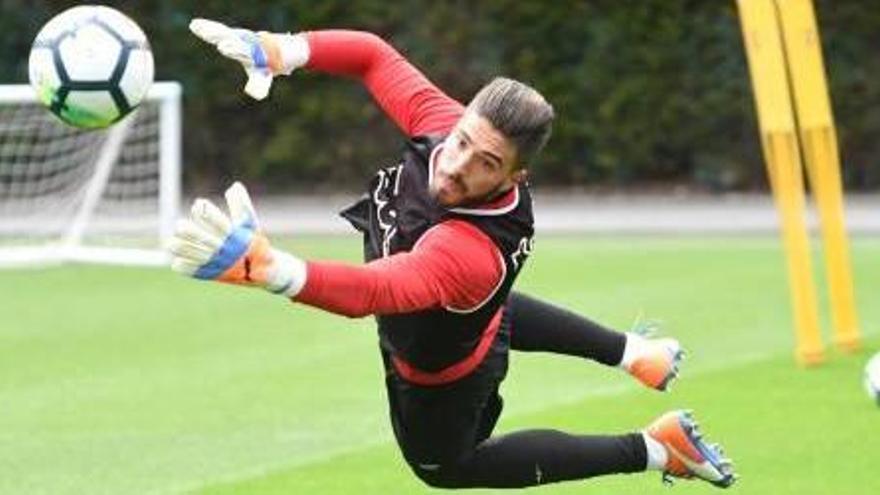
column 446, row 231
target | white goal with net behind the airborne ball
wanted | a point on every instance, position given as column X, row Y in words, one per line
column 72, row 195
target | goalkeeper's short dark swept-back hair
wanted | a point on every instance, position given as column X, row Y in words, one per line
column 519, row 112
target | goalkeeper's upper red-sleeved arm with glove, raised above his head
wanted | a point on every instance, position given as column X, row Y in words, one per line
column 415, row 104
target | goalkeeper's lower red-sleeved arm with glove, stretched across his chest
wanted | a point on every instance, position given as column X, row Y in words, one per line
column 454, row 265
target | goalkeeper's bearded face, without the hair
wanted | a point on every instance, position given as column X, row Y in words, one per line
column 476, row 164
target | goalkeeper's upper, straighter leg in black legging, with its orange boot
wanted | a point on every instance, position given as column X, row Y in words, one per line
column 540, row 326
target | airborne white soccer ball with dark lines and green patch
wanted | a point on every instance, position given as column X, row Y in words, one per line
column 91, row 66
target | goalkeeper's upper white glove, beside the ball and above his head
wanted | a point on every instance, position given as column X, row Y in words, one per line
column 263, row 55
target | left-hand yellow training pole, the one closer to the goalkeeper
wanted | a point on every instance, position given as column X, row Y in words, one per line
column 779, row 141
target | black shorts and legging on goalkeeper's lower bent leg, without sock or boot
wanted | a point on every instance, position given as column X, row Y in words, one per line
column 444, row 433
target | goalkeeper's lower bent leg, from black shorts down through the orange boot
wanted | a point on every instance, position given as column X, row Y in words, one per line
column 444, row 434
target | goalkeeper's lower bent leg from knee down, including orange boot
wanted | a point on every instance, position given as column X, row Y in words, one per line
column 538, row 457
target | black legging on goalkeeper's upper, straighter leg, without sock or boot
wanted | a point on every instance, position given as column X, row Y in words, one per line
column 540, row 326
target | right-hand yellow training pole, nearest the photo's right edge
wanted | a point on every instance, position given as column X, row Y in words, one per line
column 819, row 141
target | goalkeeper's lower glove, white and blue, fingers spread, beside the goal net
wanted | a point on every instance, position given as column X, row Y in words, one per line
column 211, row 245
